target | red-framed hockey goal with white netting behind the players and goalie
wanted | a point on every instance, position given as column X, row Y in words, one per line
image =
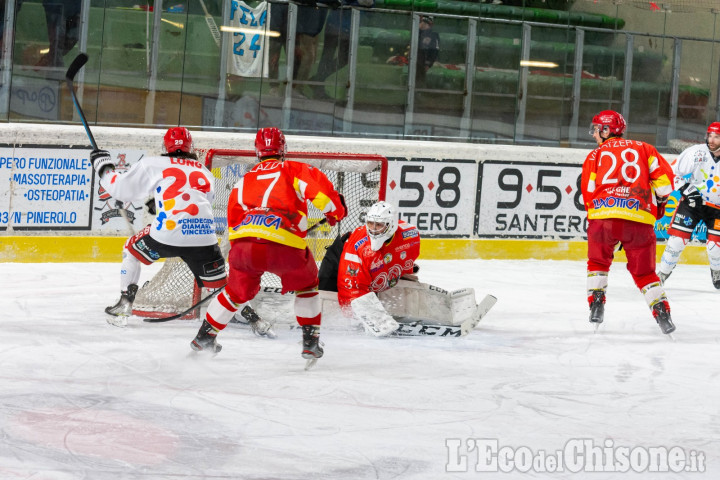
column 360, row 178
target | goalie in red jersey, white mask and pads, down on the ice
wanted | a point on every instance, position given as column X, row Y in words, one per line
column 373, row 268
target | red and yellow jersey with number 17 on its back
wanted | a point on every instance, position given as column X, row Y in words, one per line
column 270, row 202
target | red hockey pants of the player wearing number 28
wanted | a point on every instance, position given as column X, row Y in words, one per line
column 638, row 241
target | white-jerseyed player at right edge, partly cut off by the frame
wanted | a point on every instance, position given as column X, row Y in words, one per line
column 697, row 170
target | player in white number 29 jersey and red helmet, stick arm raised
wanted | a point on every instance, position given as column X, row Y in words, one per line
column 184, row 225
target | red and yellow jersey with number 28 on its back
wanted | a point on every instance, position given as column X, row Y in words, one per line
column 621, row 178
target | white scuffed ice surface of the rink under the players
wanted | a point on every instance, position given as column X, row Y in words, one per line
column 81, row 399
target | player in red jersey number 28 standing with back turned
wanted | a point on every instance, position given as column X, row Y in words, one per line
column 625, row 186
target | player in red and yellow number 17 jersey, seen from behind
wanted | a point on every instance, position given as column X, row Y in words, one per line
column 267, row 221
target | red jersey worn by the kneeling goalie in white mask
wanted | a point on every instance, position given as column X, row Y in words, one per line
column 363, row 270
